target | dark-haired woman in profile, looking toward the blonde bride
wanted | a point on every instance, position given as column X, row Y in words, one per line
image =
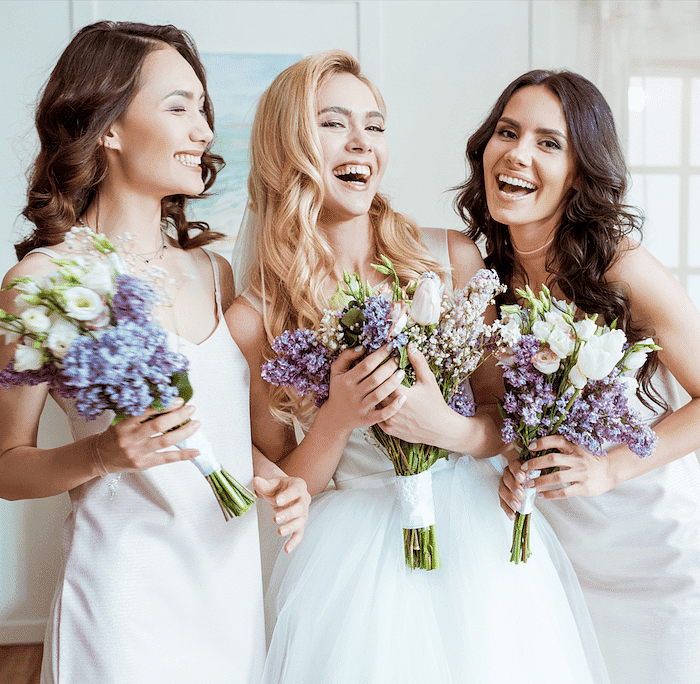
column 156, row 586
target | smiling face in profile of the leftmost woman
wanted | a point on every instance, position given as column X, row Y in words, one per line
column 156, row 146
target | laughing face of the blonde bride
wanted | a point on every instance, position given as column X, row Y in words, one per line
column 351, row 131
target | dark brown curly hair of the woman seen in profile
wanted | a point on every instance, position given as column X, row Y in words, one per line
column 90, row 87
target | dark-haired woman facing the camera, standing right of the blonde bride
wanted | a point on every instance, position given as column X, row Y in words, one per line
column 546, row 193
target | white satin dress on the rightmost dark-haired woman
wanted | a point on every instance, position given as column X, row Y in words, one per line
column 636, row 552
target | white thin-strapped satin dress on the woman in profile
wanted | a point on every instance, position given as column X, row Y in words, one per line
column 156, row 586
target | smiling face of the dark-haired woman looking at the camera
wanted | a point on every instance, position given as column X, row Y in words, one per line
column 529, row 166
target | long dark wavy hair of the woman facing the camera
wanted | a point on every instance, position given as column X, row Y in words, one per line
column 595, row 220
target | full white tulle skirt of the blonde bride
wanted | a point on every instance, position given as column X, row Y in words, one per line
column 345, row 609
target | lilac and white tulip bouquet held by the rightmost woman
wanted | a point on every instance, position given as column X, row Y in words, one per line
column 565, row 377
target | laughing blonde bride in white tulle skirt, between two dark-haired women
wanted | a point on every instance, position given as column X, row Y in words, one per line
column 346, row 608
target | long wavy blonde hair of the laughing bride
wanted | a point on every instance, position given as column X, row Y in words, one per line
column 285, row 189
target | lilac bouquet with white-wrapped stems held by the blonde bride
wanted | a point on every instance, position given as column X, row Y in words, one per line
column 449, row 331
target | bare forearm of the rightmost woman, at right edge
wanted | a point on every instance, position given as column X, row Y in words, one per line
column 678, row 434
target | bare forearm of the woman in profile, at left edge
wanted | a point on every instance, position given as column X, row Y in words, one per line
column 30, row 473
